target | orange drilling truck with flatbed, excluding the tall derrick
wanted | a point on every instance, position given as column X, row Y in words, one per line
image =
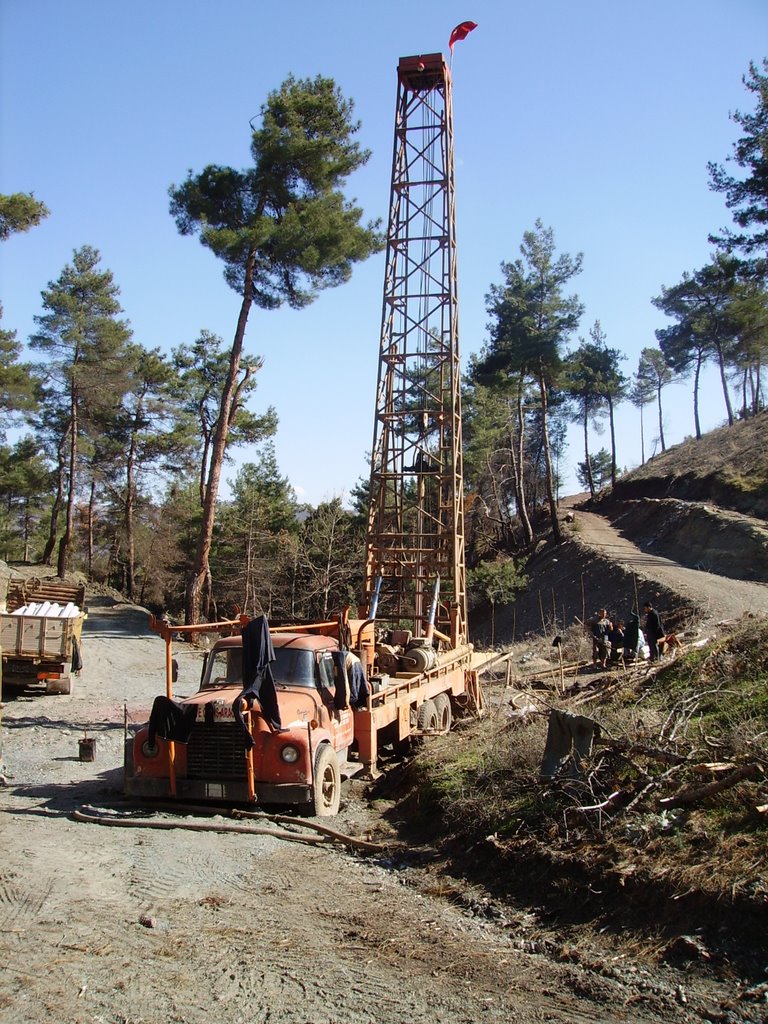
column 327, row 730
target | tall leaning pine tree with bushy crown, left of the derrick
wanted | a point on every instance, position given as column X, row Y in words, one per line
column 284, row 231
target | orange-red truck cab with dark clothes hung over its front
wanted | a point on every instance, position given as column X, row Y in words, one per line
column 302, row 764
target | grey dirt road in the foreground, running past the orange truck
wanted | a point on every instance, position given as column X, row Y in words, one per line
column 122, row 926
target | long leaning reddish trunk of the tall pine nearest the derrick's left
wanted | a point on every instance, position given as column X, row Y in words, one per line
column 201, row 573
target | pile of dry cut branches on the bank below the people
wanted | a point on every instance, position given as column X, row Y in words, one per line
column 652, row 756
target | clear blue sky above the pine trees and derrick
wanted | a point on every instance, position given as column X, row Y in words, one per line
column 598, row 118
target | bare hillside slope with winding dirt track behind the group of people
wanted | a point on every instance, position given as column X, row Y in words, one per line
column 688, row 531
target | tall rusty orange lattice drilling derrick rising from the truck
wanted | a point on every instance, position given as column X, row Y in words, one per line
column 416, row 575
